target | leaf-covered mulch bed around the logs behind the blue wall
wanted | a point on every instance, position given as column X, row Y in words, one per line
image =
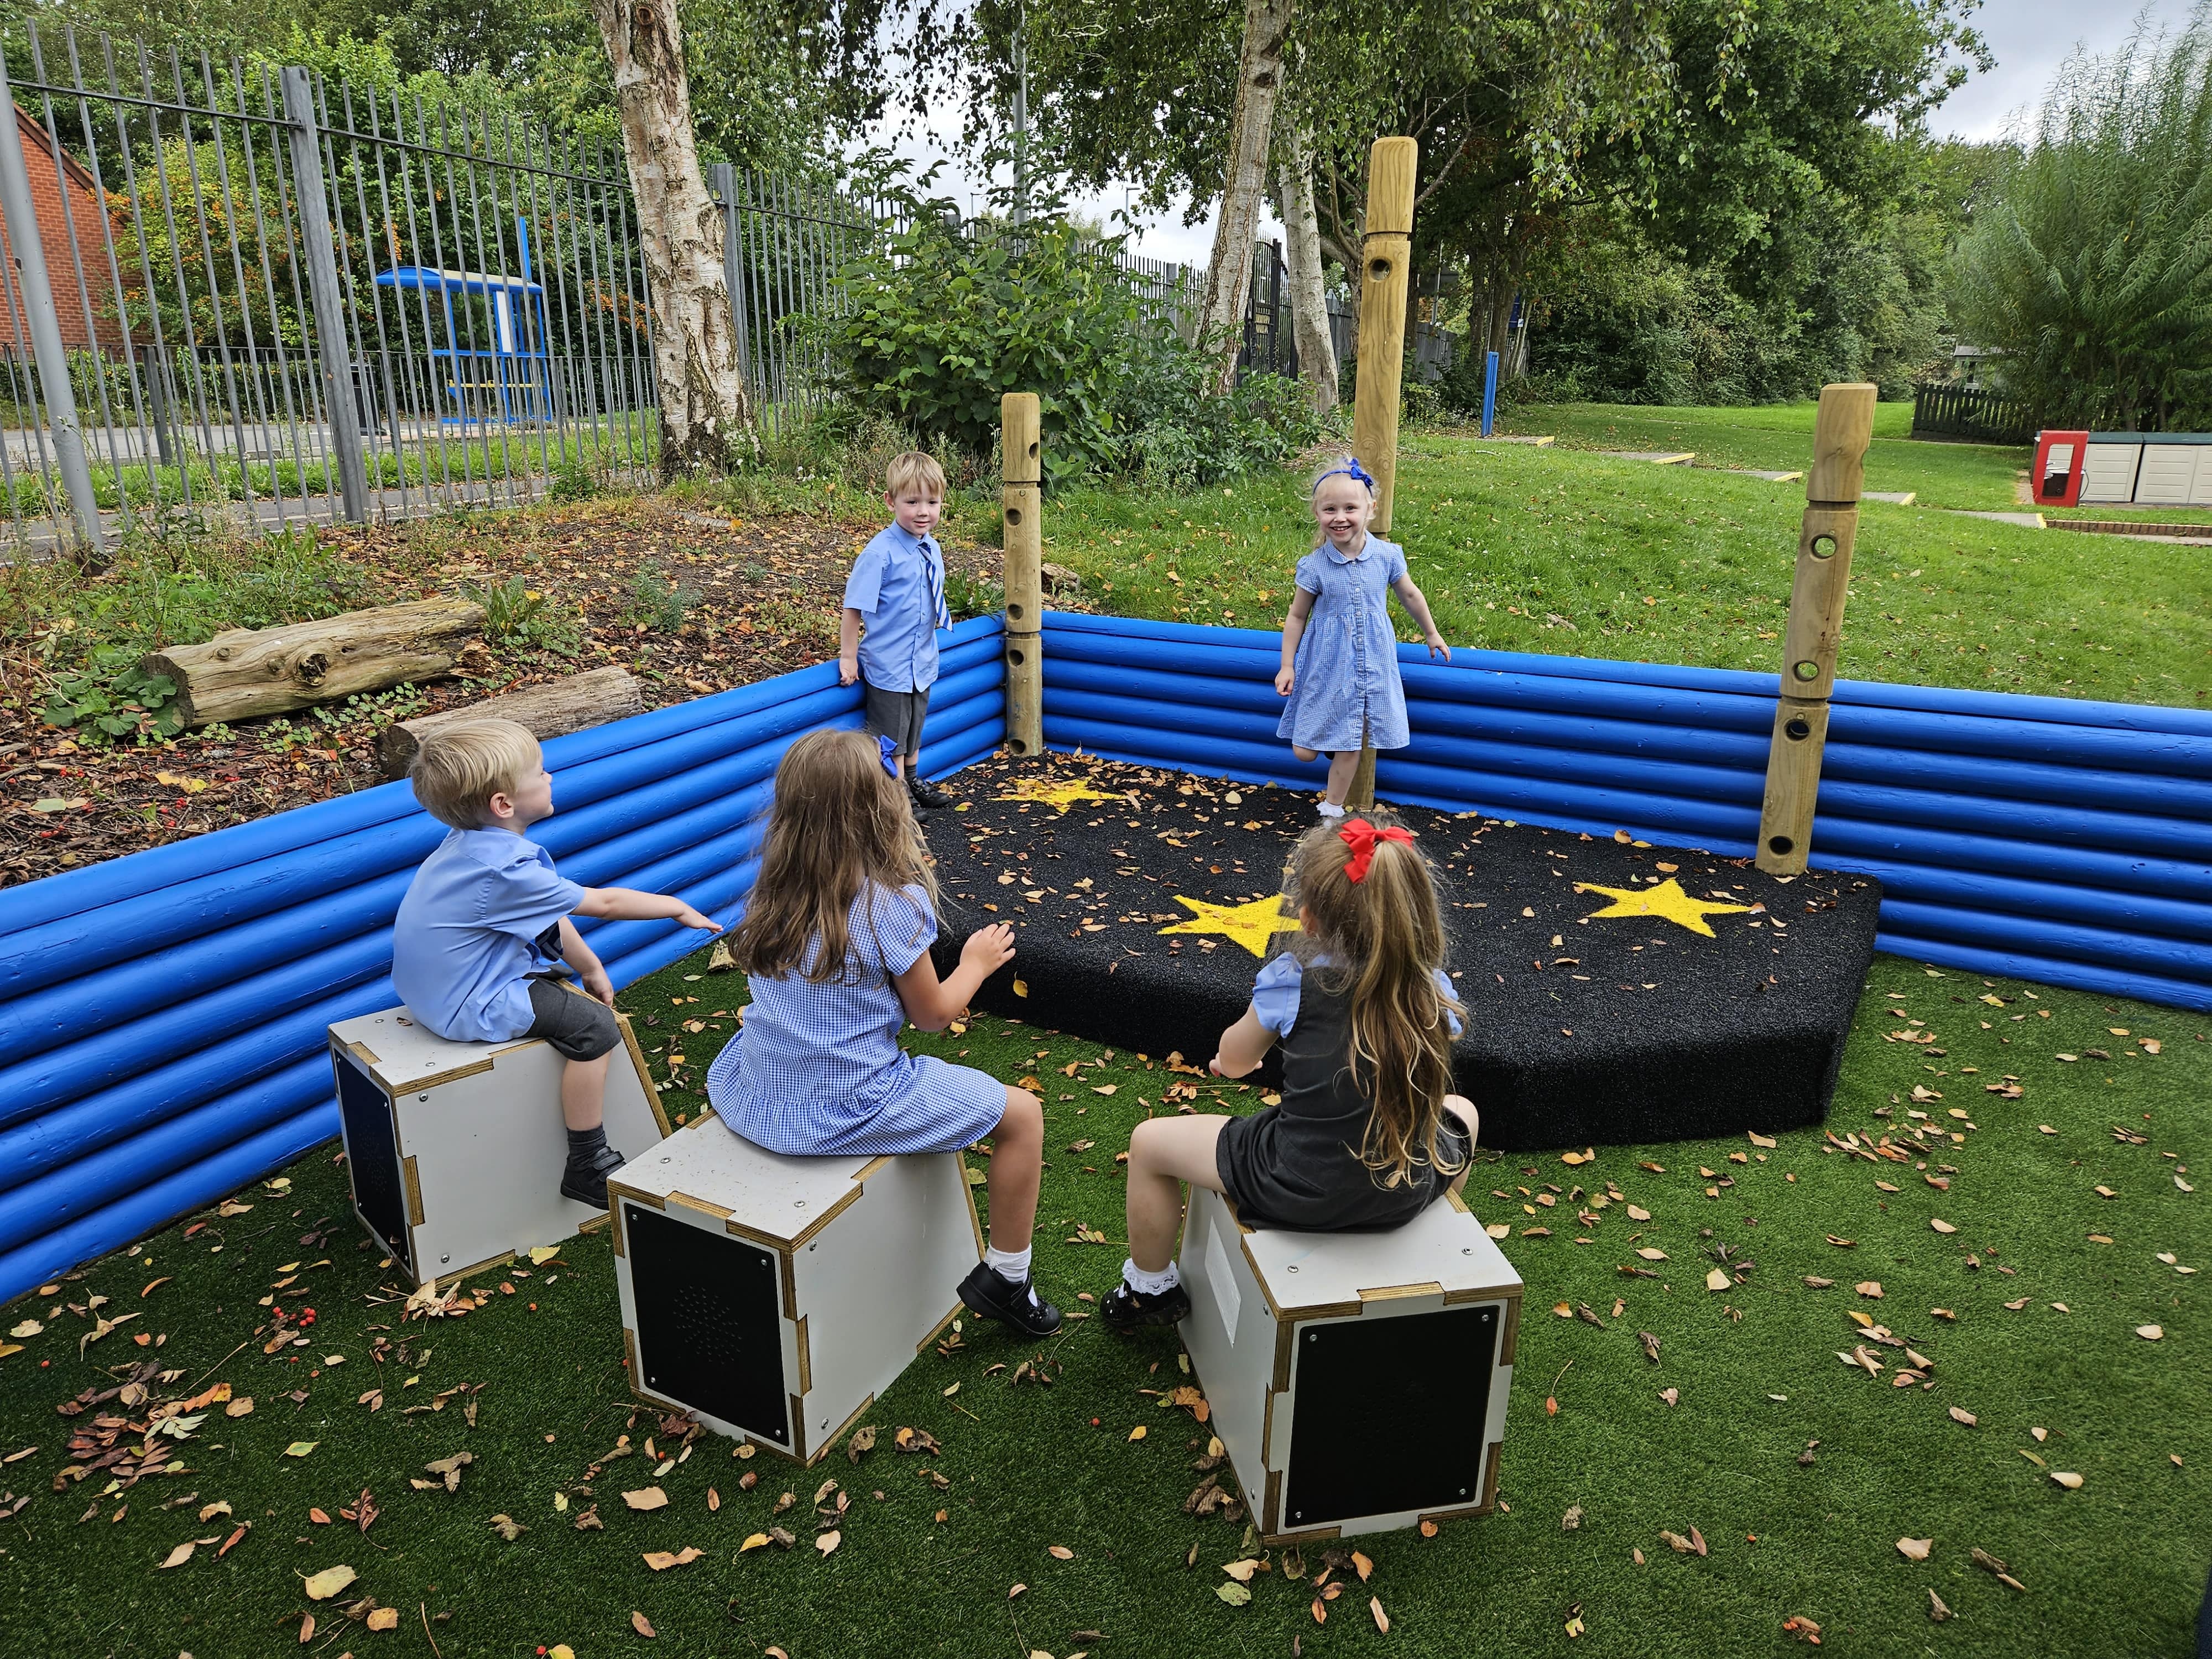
column 769, row 603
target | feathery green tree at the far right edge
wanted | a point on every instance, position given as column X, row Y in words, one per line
column 2094, row 267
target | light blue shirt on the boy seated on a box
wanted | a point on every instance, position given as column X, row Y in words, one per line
column 470, row 932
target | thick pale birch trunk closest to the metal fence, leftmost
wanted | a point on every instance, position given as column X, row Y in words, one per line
column 705, row 417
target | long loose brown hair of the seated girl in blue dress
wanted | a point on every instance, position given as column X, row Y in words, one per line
column 839, row 824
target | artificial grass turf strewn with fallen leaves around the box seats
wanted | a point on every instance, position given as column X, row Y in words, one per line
column 2109, row 1569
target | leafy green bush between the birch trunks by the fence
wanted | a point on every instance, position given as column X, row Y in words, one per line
column 946, row 320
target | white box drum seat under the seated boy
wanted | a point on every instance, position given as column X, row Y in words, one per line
column 457, row 1149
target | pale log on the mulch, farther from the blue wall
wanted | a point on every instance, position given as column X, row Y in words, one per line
column 273, row 671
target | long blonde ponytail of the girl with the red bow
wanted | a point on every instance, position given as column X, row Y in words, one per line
column 1386, row 943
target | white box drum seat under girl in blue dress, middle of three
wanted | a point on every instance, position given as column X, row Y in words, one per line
column 778, row 1297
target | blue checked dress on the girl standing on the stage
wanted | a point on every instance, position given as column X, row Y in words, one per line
column 1348, row 656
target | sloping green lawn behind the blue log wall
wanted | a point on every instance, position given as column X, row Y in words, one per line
column 1578, row 554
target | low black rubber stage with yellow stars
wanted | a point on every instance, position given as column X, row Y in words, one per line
column 1129, row 895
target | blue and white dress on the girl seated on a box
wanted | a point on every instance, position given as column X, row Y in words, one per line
column 817, row 1070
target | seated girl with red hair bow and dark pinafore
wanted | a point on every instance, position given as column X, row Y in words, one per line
column 1368, row 1134
